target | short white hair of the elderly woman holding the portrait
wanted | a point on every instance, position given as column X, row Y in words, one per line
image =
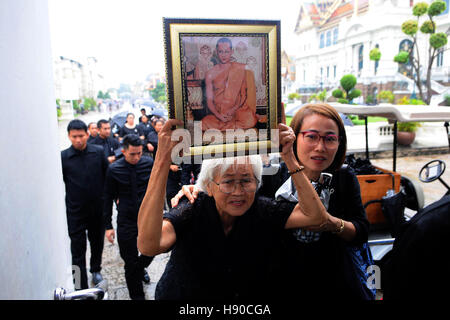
column 212, row 167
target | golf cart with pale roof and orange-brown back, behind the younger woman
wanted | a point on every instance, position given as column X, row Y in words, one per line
column 376, row 188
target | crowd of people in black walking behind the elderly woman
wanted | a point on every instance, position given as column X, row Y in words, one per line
column 101, row 169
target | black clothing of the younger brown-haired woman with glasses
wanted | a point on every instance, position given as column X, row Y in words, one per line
column 322, row 269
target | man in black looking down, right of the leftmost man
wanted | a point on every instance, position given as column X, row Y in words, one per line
column 126, row 180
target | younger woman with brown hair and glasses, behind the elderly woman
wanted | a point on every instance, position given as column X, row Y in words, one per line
column 315, row 261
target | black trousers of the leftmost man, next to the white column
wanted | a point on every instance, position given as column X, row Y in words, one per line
column 86, row 223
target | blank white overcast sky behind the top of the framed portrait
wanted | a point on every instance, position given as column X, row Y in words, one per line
column 126, row 35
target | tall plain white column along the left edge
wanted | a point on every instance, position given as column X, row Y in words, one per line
column 34, row 244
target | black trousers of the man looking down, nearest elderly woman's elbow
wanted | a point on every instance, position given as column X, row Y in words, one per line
column 135, row 263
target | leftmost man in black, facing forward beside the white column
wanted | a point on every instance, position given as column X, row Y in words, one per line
column 84, row 166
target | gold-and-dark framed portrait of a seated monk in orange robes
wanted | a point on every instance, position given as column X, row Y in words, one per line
column 223, row 82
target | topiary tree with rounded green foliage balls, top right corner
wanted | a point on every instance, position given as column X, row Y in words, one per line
column 436, row 41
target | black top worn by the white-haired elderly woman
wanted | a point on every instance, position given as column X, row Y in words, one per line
column 206, row 264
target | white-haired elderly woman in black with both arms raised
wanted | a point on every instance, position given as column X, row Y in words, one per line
column 221, row 244
